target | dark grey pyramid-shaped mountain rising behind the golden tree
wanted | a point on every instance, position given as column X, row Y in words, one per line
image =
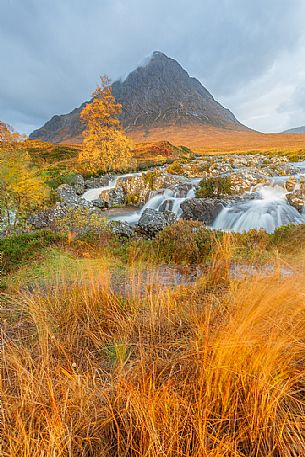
column 158, row 94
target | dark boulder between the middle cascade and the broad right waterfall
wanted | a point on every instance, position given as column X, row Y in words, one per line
column 202, row 209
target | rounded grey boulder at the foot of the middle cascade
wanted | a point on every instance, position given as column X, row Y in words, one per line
column 153, row 221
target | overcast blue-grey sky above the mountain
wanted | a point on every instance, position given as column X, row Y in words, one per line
column 250, row 54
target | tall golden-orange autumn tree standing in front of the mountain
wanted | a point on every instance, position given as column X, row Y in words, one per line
column 105, row 147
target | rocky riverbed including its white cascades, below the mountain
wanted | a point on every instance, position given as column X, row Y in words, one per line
column 147, row 202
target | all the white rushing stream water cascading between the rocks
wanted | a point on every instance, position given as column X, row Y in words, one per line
column 267, row 208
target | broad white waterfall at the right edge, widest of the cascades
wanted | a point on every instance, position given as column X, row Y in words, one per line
column 269, row 212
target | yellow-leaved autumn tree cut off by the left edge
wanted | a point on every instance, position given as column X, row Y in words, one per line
column 21, row 188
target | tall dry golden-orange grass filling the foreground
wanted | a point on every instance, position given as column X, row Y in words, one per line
column 213, row 369
